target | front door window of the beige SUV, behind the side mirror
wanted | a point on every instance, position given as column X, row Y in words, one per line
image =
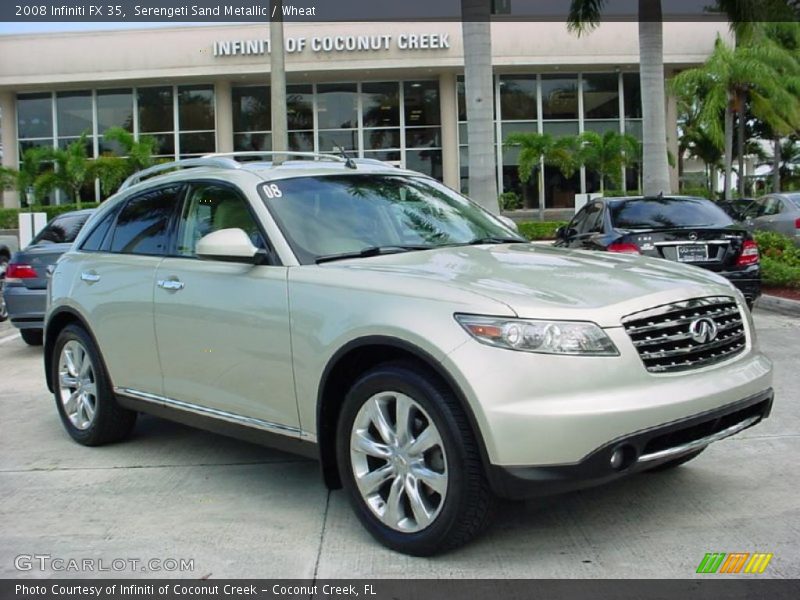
column 210, row 208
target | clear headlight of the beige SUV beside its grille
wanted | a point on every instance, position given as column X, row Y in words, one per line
column 545, row 337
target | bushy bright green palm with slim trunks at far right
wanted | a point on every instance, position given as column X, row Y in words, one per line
column 760, row 72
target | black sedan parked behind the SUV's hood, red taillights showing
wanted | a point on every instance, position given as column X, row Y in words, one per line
column 693, row 231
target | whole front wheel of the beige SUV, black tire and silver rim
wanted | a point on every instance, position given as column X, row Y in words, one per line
column 410, row 463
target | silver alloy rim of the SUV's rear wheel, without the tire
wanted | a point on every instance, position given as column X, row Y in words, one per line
column 77, row 388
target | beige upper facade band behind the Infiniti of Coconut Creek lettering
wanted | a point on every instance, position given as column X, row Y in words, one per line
column 67, row 59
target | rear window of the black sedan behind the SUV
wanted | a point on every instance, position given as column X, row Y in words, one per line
column 667, row 213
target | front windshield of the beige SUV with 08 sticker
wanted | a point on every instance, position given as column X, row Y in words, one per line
column 340, row 214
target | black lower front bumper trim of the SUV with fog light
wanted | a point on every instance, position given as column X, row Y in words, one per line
column 641, row 451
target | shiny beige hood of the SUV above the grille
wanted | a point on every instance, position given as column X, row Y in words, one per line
column 544, row 282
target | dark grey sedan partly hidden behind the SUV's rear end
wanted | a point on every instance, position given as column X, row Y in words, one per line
column 25, row 289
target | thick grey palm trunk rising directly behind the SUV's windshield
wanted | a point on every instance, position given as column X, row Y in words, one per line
column 479, row 87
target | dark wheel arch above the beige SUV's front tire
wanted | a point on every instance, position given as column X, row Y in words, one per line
column 342, row 371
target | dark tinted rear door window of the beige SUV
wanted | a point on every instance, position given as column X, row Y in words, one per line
column 143, row 225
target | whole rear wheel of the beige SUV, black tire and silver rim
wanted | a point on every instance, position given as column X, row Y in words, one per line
column 83, row 393
